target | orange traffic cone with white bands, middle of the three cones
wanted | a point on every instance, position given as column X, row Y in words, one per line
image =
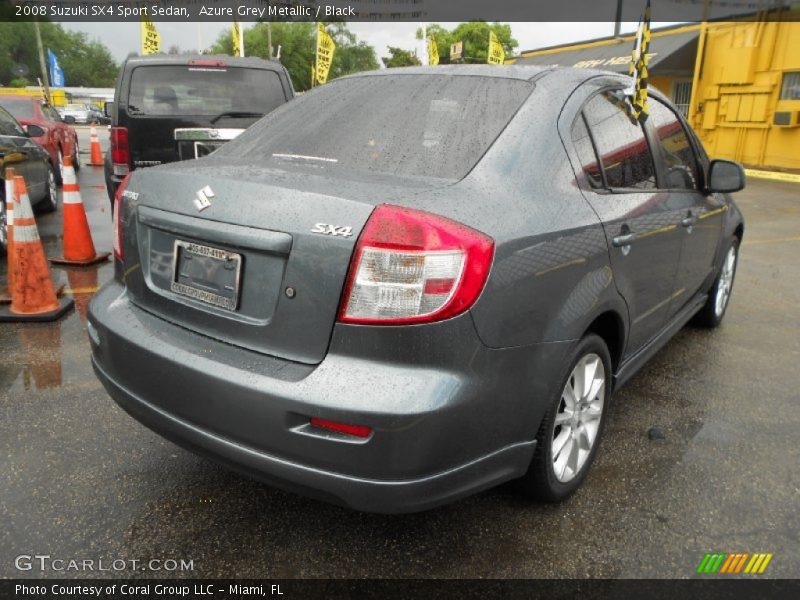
column 78, row 245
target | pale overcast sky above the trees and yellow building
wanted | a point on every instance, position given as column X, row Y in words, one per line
column 123, row 38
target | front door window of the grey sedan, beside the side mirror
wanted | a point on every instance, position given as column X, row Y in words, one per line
column 680, row 171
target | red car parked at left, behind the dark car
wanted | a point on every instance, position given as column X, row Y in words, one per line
column 46, row 127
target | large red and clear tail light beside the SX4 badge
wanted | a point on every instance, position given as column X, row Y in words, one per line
column 411, row 266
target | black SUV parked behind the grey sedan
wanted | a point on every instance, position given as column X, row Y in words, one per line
column 169, row 108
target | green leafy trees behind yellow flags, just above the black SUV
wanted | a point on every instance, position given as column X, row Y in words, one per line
column 297, row 43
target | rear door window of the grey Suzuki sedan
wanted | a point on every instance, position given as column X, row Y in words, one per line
column 620, row 143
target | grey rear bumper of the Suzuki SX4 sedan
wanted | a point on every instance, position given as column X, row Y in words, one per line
column 439, row 434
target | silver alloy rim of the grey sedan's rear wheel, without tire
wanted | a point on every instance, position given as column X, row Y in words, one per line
column 577, row 421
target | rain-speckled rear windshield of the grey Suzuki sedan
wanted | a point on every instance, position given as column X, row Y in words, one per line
column 421, row 125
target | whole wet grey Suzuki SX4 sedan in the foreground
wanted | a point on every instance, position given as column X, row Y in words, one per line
column 410, row 285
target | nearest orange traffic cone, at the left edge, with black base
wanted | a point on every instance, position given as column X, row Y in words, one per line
column 33, row 297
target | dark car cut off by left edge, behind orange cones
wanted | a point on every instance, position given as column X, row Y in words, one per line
column 29, row 159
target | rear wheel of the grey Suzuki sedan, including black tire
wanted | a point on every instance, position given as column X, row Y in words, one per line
column 565, row 431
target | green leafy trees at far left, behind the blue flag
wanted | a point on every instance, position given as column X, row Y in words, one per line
column 85, row 62
